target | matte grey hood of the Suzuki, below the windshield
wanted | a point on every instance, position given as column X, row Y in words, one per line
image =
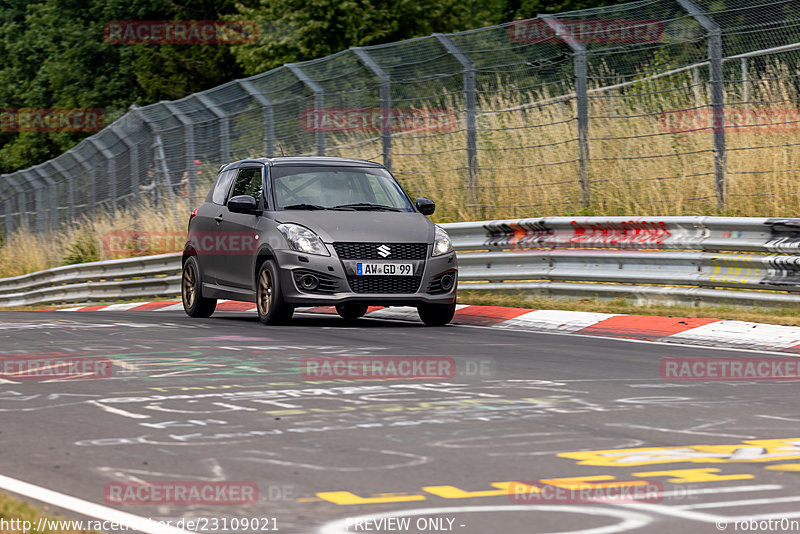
column 365, row 226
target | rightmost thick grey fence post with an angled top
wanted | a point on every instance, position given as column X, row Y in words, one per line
column 717, row 96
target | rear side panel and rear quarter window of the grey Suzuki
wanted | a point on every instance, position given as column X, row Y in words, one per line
column 206, row 224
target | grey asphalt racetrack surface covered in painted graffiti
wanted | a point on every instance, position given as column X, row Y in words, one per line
column 225, row 399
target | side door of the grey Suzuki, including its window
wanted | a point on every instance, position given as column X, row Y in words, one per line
column 240, row 232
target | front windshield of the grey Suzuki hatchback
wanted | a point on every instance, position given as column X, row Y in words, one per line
column 339, row 188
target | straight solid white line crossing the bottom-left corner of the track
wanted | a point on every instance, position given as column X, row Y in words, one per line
column 98, row 511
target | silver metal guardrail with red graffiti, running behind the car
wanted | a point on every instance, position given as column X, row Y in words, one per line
column 741, row 261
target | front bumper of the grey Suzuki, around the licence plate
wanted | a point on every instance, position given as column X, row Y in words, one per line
column 339, row 283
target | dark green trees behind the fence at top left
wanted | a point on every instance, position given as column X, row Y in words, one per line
column 54, row 54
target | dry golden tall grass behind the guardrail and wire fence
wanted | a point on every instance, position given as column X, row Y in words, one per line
column 528, row 167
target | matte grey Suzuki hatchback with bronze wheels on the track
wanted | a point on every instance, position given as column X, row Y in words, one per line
column 289, row 232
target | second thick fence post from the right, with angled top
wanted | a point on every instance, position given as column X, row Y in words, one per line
column 581, row 101
